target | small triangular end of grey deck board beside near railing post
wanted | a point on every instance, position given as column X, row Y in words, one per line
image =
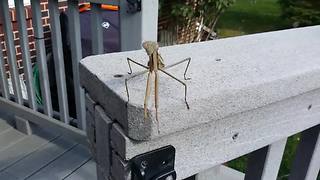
column 85, row 172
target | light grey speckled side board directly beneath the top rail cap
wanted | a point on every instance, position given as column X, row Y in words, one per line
column 211, row 144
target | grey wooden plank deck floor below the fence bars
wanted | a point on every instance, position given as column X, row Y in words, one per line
column 42, row 155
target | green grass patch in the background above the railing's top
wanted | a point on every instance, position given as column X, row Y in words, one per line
column 251, row 16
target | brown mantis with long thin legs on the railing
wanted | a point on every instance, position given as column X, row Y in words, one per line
column 154, row 65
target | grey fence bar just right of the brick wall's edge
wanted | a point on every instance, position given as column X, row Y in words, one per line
column 58, row 60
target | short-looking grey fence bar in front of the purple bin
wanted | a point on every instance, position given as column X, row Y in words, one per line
column 96, row 29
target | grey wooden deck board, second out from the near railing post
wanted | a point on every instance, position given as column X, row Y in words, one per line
column 64, row 165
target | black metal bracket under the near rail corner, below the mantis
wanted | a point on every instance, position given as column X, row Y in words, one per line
column 154, row 165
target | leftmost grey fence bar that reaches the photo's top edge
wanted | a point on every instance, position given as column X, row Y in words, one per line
column 4, row 10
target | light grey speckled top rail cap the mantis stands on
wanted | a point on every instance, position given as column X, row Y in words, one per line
column 254, row 71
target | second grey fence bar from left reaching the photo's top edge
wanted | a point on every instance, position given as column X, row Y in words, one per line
column 24, row 44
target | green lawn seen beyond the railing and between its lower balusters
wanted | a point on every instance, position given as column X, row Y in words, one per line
column 248, row 17
